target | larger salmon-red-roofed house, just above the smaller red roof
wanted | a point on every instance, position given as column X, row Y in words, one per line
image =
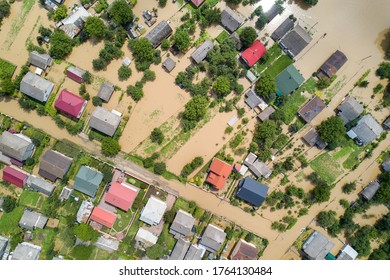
column 121, row 195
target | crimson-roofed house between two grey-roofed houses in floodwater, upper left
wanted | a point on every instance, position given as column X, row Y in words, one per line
column 70, row 104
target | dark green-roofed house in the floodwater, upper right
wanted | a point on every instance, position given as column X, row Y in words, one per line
column 288, row 80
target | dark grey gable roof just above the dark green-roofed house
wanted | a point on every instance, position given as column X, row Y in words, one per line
column 295, row 41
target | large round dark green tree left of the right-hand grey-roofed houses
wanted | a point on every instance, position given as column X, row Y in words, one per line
column 332, row 131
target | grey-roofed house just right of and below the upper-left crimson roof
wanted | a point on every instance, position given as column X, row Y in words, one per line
column 104, row 121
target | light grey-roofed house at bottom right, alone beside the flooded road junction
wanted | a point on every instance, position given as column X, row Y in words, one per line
column 317, row 246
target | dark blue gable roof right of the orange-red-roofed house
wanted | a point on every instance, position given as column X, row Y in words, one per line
column 252, row 191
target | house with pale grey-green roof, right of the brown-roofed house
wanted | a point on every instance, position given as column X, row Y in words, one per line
column 88, row 180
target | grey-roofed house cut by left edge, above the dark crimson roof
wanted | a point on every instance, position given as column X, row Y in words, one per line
column 16, row 146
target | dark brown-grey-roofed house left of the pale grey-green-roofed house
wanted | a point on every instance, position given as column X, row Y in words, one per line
column 54, row 165
